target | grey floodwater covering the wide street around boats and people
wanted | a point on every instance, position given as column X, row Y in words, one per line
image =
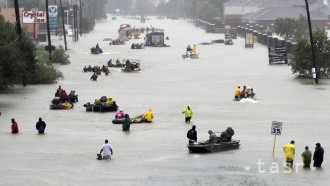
column 157, row 153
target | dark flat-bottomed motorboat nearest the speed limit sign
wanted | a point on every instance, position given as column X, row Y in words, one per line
column 223, row 142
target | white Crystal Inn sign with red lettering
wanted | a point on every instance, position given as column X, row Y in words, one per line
column 34, row 16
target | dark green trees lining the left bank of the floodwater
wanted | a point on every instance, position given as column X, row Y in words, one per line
column 22, row 63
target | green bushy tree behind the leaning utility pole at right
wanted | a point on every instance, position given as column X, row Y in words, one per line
column 301, row 61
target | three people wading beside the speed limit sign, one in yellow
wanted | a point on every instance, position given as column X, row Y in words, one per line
column 290, row 149
